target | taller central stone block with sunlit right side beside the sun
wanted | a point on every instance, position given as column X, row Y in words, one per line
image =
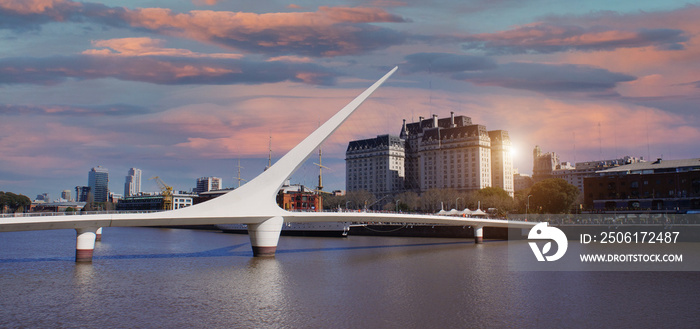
column 455, row 153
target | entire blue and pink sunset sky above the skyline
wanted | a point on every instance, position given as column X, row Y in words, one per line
column 184, row 89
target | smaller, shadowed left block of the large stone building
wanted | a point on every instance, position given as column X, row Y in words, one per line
column 375, row 165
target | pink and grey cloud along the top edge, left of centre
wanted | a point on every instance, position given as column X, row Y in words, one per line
column 329, row 31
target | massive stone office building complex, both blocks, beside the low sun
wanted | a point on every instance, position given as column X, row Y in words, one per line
column 431, row 153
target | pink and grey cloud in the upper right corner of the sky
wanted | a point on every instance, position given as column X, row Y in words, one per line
column 659, row 48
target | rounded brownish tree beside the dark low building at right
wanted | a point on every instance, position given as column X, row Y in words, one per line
column 553, row 195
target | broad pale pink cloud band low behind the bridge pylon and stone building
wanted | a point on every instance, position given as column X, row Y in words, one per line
column 235, row 122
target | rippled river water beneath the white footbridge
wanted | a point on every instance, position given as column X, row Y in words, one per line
column 178, row 278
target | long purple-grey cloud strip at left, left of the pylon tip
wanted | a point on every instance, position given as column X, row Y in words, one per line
column 159, row 70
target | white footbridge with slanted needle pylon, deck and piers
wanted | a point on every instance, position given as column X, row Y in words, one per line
column 253, row 204
